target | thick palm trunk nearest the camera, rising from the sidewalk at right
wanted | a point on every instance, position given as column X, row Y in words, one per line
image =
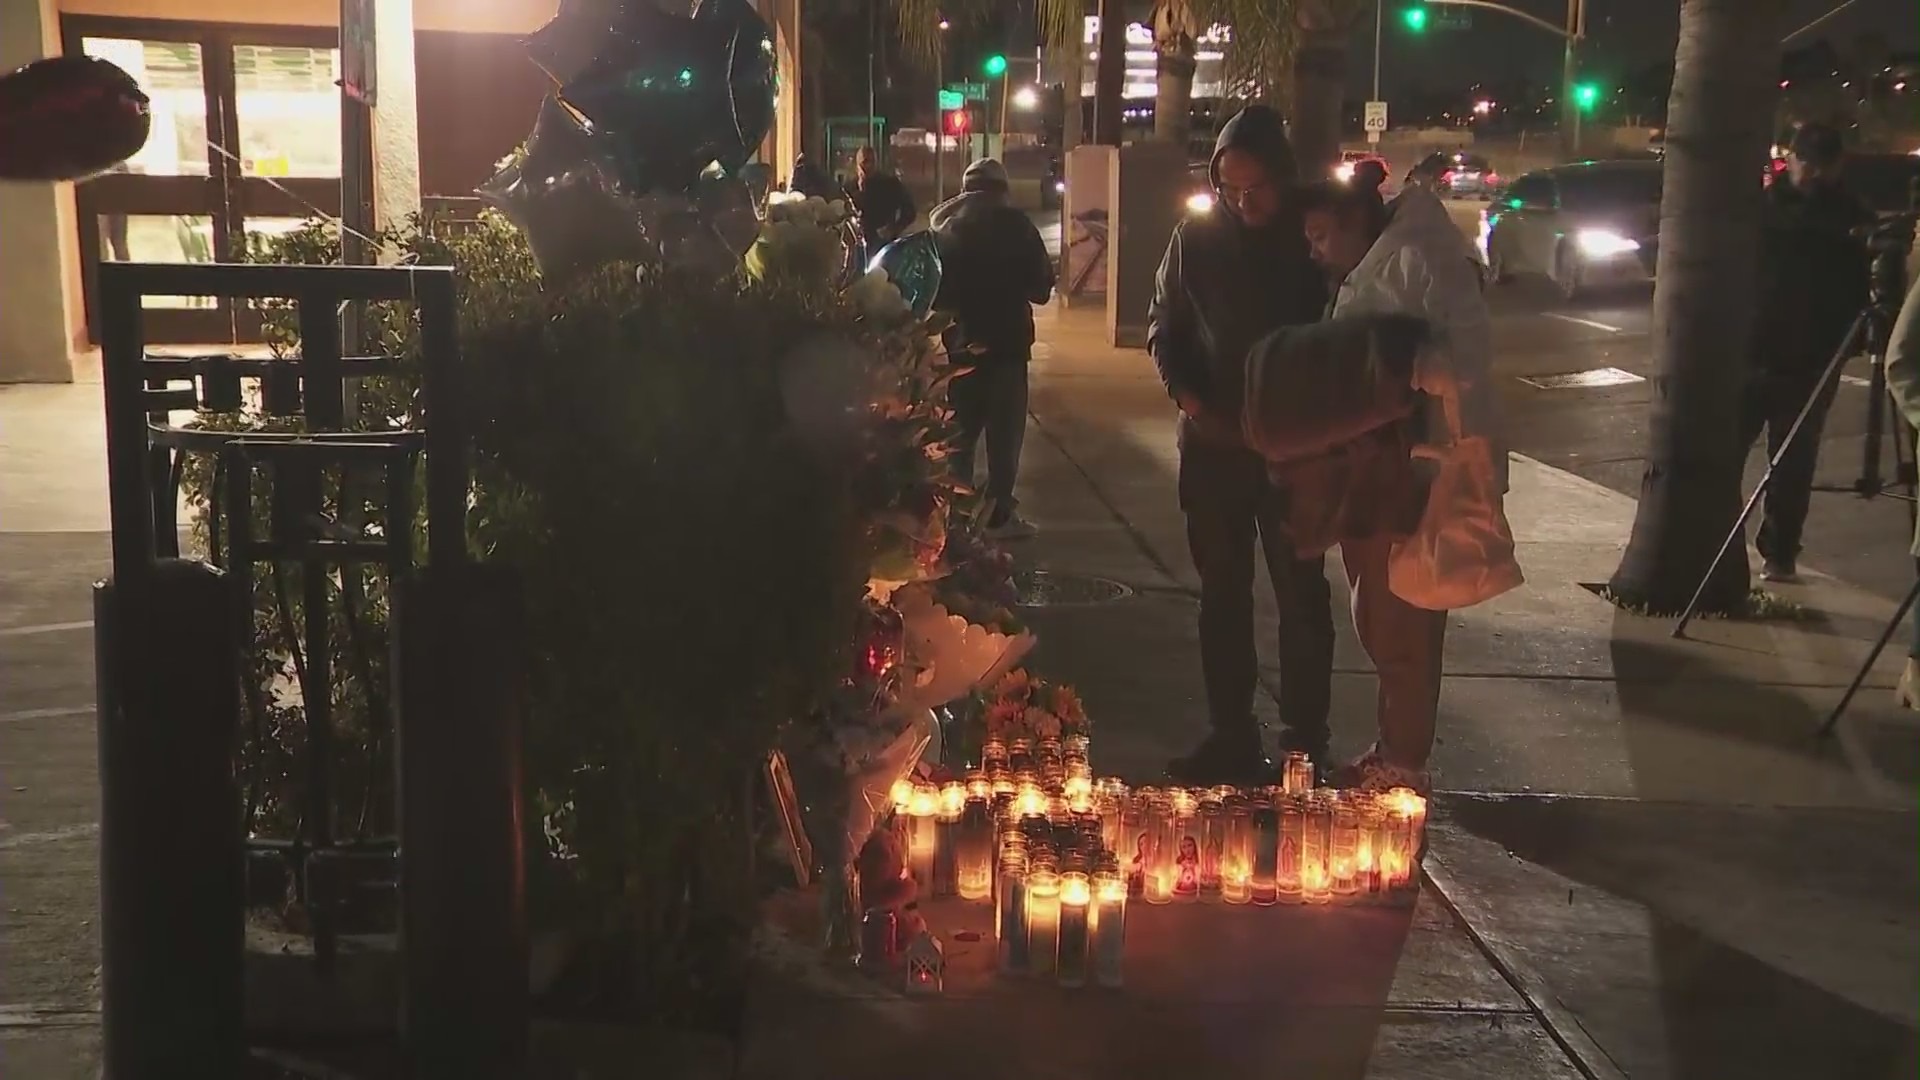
column 1717, row 135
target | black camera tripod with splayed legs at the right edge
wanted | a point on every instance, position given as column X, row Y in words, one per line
column 1871, row 333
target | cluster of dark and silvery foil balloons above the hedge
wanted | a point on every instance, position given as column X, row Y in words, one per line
column 636, row 153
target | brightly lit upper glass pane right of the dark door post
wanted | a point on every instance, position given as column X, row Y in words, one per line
column 289, row 110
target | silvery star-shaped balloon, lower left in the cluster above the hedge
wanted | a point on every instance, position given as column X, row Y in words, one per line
column 573, row 216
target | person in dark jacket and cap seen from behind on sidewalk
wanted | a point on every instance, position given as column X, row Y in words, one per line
column 994, row 272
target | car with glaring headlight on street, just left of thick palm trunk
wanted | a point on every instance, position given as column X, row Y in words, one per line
column 1579, row 226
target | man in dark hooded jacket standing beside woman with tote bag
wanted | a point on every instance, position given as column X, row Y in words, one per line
column 1232, row 278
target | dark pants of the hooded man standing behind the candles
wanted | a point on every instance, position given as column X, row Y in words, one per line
column 1230, row 504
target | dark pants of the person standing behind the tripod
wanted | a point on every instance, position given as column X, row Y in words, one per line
column 1773, row 403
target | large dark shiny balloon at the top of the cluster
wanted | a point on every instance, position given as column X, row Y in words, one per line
column 665, row 97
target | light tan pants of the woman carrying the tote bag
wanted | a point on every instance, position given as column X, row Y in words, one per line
column 1404, row 645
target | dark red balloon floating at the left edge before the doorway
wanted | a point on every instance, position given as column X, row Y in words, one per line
column 68, row 118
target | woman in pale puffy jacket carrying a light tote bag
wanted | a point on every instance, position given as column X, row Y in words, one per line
column 1403, row 258
